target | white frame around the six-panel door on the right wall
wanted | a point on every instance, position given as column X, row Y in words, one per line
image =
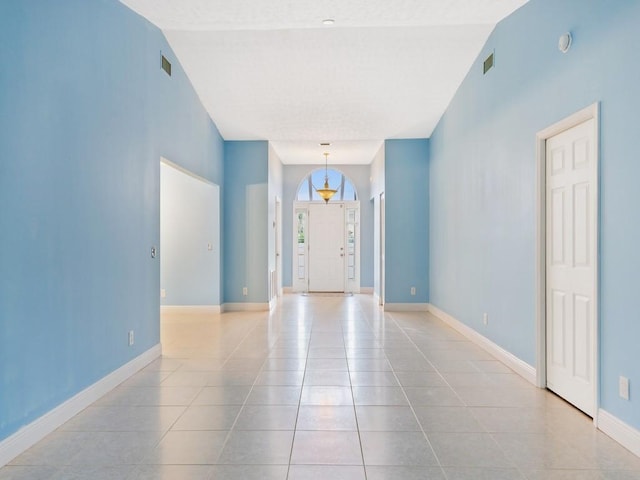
column 588, row 113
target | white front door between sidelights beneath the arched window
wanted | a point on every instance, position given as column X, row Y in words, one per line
column 326, row 247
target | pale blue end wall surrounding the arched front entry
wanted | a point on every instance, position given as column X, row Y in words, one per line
column 359, row 176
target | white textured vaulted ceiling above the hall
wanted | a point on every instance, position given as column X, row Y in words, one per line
column 270, row 70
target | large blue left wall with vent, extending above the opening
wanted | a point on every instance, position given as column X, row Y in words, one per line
column 85, row 115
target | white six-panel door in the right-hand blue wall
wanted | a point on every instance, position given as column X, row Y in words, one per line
column 571, row 239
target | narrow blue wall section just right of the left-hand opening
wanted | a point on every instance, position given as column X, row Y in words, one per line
column 245, row 220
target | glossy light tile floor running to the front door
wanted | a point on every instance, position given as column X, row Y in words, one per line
column 324, row 387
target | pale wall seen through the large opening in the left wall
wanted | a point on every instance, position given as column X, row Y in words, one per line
column 189, row 223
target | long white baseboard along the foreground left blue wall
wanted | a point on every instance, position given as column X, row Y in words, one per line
column 30, row 434
